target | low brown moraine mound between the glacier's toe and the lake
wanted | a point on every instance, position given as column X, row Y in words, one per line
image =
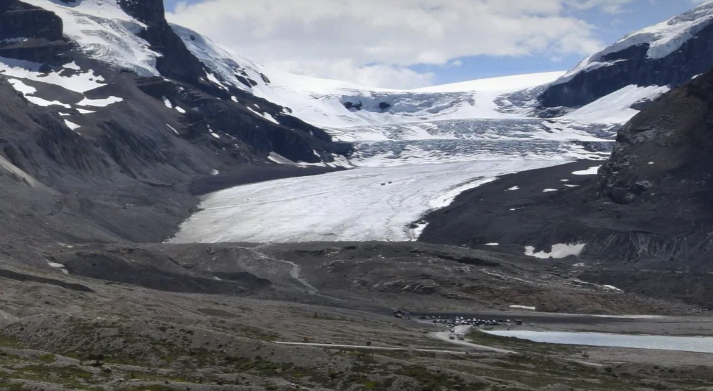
column 372, row 276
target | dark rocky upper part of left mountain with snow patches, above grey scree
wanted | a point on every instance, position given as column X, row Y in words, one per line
column 74, row 52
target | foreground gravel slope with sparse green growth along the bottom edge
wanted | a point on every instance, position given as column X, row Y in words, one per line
column 60, row 332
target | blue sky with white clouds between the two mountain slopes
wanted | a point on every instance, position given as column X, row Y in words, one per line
column 410, row 67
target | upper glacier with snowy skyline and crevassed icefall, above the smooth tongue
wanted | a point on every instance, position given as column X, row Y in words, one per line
column 474, row 120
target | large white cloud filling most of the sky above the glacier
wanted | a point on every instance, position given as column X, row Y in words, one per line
column 374, row 41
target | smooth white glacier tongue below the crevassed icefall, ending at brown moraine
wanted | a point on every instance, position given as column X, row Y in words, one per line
column 356, row 205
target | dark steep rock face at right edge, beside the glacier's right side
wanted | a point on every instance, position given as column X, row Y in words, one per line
column 663, row 155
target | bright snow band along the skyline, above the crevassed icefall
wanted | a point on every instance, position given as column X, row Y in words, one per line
column 321, row 101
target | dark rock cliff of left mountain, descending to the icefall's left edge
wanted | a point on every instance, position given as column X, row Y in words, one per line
column 293, row 138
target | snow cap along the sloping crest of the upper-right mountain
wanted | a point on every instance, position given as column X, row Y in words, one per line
column 663, row 39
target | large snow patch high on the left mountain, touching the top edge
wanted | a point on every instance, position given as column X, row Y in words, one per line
column 105, row 33
